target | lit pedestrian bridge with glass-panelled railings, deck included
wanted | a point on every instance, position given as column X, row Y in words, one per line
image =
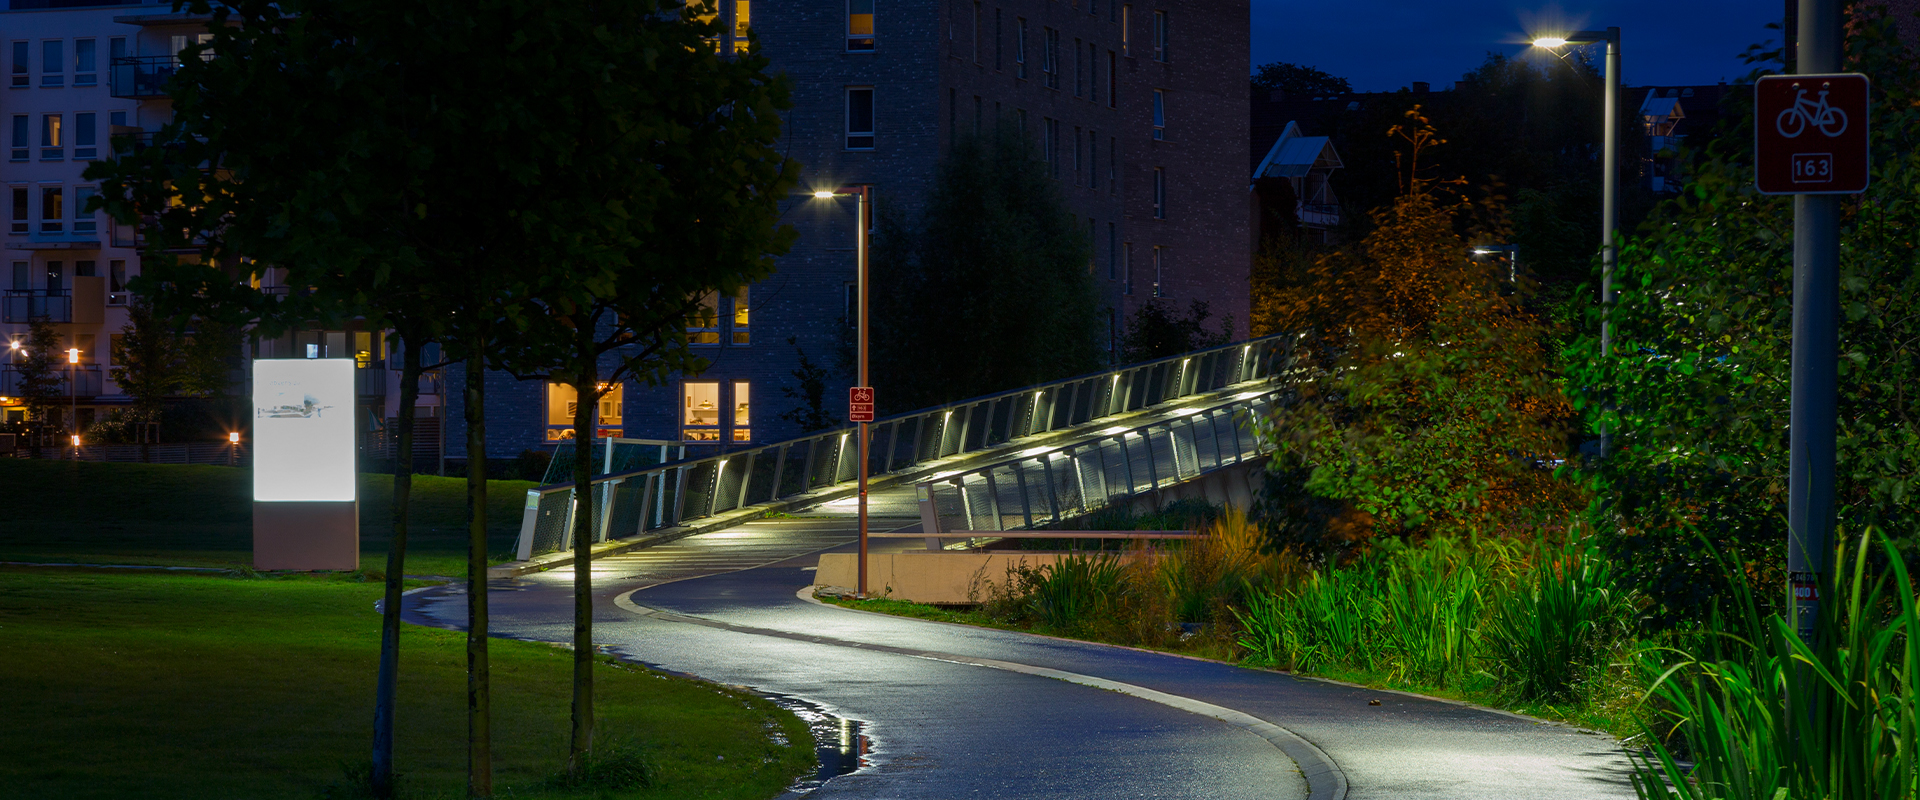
column 1007, row 461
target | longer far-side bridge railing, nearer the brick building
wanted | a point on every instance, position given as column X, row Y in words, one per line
column 688, row 490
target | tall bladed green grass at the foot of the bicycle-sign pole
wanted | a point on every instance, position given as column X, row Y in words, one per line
column 1777, row 718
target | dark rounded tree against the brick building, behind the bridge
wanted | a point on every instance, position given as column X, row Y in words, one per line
column 994, row 254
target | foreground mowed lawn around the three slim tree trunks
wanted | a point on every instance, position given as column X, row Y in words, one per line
column 180, row 686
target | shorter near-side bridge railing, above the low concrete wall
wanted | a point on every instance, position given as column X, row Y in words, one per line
column 1053, row 484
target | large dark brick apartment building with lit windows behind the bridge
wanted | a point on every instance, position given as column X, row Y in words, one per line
column 1138, row 110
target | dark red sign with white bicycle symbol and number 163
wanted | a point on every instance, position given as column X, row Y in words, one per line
column 1810, row 133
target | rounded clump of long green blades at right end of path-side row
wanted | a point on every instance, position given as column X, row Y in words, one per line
column 1552, row 630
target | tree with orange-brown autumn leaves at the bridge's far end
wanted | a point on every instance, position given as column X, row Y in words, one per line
column 1429, row 398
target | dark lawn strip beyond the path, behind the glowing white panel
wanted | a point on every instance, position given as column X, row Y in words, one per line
column 62, row 511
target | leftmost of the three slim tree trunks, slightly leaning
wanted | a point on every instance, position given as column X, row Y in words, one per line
column 396, row 567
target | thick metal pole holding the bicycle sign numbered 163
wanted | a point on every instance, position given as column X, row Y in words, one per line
column 1815, row 350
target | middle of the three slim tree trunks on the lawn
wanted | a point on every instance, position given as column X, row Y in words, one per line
column 479, row 703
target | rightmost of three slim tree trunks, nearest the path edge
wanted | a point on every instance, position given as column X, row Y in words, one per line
column 587, row 402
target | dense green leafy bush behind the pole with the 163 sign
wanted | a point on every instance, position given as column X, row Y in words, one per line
column 1698, row 390
